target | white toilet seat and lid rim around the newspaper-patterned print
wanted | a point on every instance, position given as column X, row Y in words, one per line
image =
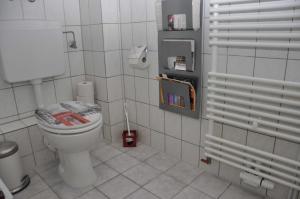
column 94, row 118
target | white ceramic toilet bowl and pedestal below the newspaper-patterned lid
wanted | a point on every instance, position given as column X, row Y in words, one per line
column 73, row 145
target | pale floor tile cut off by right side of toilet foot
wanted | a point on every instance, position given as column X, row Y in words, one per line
column 104, row 174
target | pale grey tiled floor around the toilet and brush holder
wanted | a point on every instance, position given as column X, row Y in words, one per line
column 139, row 173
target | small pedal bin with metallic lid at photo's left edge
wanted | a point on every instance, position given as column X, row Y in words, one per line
column 11, row 169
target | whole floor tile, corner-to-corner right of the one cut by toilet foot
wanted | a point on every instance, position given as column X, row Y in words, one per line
column 142, row 173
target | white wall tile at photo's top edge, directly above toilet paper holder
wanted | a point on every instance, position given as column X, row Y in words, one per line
column 139, row 10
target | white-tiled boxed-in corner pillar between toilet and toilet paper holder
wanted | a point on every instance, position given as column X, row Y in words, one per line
column 103, row 60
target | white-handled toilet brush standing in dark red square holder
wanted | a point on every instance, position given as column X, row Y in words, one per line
column 129, row 136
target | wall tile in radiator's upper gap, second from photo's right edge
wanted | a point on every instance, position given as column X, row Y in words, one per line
column 270, row 68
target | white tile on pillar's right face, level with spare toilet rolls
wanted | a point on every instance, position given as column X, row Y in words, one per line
column 114, row 88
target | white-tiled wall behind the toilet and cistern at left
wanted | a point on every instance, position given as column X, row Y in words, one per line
column 17, row 100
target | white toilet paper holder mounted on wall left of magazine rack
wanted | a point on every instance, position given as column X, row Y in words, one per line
column 138, row 57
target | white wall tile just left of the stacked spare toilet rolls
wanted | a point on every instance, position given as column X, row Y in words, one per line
column 63, row 89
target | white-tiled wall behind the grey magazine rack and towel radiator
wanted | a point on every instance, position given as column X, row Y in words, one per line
column 181, row 136
